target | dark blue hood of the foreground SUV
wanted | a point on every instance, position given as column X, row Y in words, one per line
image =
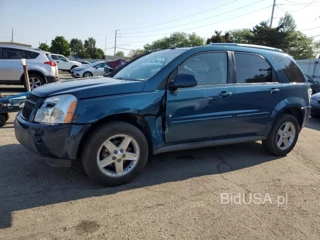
column 89, row 88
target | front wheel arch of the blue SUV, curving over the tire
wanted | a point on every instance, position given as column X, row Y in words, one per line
column 131, row 118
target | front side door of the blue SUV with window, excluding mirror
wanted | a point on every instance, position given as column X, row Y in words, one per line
column 206, row 111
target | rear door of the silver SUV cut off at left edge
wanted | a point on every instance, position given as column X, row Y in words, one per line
column 10, row 64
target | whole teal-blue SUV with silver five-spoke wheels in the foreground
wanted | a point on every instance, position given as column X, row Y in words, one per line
column 168, row 100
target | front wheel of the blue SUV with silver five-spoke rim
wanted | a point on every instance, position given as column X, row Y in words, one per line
column 115, row 153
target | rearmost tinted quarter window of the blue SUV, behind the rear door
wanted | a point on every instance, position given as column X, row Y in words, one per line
column 290, row 69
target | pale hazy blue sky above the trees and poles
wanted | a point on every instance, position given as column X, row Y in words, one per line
column 143, row 21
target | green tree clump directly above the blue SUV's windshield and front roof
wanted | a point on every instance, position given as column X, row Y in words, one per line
column 177, row 39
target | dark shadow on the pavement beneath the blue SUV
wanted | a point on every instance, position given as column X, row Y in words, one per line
column 28, row 182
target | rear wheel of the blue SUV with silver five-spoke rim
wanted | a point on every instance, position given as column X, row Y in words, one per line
column 283, row 136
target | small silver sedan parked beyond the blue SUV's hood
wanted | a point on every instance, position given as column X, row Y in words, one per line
column 94, row 69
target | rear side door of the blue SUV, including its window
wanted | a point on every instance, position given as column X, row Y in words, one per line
column 257, row 93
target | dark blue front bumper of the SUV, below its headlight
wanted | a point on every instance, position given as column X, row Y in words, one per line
column 60, row 143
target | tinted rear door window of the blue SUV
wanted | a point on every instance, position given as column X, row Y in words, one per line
column 252, row 68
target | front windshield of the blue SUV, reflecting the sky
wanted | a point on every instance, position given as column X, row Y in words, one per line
column 147, row 66
